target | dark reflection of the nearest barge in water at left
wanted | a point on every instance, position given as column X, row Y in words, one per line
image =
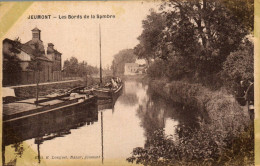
column 44, row 127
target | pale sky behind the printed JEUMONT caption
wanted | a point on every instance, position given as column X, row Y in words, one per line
column 80, row 37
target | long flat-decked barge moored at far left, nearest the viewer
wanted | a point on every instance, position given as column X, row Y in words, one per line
column 76, row 98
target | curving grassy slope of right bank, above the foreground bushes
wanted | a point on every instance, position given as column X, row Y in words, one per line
column 219, row 105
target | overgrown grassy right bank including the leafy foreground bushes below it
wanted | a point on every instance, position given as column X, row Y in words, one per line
column 225, row 138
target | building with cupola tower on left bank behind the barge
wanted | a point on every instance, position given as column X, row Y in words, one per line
column 19, row 61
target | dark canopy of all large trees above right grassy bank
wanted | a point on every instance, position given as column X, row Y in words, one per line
column 195, row 37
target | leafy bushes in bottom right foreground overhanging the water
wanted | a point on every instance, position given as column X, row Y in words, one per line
column 200, row 147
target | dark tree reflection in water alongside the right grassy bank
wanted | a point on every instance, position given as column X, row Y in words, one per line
column 156, row 110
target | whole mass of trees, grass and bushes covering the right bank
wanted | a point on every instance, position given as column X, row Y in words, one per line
column 198, row 52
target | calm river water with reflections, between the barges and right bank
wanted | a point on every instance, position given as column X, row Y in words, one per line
column 116, row 129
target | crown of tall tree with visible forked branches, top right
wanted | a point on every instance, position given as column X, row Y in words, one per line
column 205, row 31
